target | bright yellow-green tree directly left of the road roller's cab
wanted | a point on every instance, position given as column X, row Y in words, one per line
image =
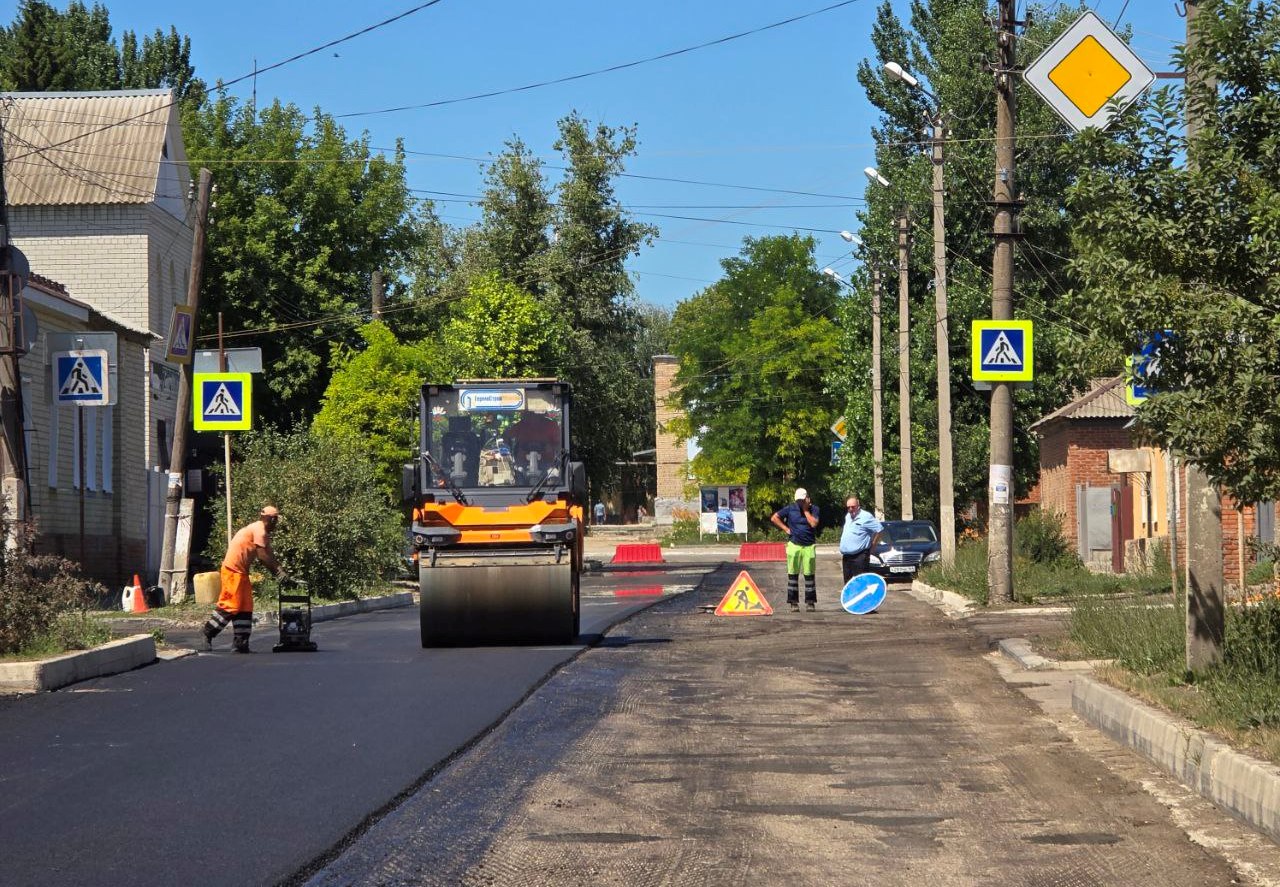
column 373, row 399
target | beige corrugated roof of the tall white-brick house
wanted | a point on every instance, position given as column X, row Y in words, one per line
column 90, row 148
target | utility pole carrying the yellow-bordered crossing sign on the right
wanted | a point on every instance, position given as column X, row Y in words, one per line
column 1000, row 539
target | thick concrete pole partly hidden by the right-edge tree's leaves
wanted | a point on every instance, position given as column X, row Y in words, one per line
column 1206, row 605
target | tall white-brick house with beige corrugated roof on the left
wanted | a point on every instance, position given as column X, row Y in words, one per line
column 98, row 191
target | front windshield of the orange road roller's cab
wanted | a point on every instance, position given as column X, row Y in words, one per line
column 496, row 437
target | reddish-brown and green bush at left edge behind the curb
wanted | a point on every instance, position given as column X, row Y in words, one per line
column 44, row 601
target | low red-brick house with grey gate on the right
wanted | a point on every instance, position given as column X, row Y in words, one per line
column 1113, row 496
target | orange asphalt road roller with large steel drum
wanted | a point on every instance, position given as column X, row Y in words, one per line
column 497, row 514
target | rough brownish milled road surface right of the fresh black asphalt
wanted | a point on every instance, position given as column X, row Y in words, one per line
column 798, row 749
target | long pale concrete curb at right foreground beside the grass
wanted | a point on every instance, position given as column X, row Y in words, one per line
column 1245, row 787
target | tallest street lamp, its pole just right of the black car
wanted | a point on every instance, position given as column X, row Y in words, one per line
column 943, row 340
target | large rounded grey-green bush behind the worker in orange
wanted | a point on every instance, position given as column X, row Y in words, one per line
column 339, row 531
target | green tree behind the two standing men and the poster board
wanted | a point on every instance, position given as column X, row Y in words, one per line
column 753, row 354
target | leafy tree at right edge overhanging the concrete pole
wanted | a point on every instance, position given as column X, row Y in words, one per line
column 1185, row 236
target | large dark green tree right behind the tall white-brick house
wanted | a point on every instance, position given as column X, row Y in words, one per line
column 304, row 218
